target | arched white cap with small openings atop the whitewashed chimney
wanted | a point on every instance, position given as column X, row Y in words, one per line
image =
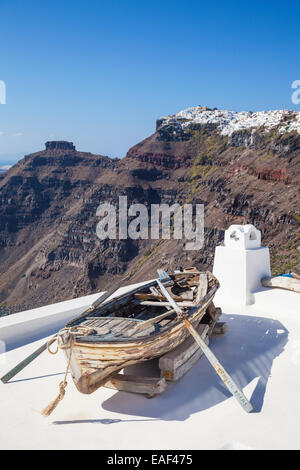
column 242, row 237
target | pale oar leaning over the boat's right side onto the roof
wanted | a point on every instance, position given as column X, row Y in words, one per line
column 228, row 381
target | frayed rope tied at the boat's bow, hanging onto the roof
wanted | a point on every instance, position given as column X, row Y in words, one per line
column 69, row 345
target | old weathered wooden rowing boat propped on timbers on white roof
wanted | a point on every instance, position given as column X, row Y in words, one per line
column 136, row 326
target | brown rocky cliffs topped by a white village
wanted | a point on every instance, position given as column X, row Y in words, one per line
column 244, row 167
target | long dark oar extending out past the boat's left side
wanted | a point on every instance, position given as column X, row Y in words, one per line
column 42, row 348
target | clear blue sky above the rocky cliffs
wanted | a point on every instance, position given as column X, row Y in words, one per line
column 99, row 73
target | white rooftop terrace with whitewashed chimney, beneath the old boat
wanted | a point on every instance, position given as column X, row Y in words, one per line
column 261, row 351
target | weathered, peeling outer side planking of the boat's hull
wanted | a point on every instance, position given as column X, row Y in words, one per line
column 93, row 363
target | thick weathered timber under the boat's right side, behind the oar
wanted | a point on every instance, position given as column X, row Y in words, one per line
column 175, row 358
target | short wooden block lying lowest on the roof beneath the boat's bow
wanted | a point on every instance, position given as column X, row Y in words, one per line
column 131, row 383
